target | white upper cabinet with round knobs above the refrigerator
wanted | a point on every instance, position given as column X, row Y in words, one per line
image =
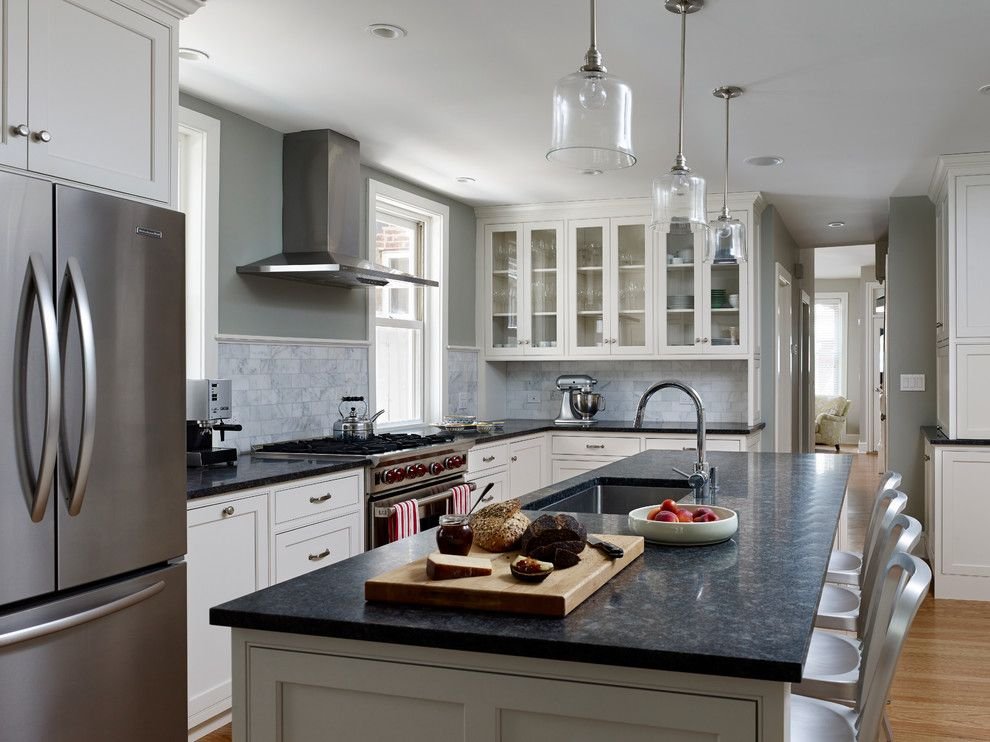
column 89, row 92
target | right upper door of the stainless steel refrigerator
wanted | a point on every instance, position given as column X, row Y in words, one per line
column 120, row 270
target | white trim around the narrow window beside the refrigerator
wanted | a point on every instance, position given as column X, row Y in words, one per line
column 205, row 131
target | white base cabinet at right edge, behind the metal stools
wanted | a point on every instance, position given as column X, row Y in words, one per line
column 958, row 507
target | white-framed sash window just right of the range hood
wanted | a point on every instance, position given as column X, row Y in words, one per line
column 408, row 331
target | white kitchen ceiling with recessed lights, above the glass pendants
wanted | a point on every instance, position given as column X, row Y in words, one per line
column 858, row 97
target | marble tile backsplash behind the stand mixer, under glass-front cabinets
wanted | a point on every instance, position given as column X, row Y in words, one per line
column 721, row 384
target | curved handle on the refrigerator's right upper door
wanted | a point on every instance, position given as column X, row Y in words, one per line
column 74, row 290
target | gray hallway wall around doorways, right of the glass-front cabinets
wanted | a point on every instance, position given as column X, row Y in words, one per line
column 778, row 246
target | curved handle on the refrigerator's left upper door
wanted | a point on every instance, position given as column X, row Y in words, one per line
column 37, row 488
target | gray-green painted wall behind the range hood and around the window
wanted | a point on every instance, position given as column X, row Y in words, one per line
column 251, row 229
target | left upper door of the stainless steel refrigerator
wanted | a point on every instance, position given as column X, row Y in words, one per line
column 27, row 533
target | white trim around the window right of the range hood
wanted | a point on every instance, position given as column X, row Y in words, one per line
column 436, row 217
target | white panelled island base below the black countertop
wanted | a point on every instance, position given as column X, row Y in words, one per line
column 309, row 688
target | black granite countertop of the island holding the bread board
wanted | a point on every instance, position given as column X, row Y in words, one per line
column 743, row 608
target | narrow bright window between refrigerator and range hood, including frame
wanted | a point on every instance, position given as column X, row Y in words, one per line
column 199, row 199
